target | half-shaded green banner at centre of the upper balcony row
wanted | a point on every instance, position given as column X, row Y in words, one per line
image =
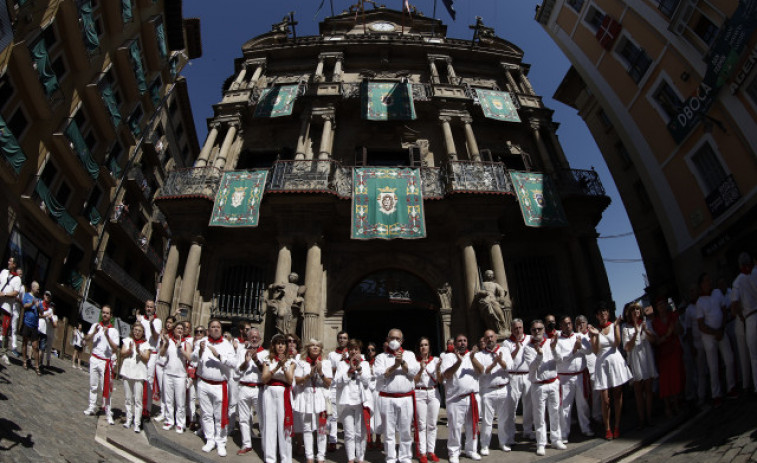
column 384, row 101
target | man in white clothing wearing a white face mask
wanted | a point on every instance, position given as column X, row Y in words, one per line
column 397, row 367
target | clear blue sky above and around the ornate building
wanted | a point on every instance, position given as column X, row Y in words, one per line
column 227, row 24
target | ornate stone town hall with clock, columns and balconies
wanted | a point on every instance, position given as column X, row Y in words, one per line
column 300, row 121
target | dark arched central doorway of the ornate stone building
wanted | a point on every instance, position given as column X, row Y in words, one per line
column 389, row 299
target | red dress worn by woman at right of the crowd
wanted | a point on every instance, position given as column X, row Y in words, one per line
column 669, row 355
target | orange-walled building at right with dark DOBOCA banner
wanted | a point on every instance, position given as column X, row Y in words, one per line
column 669, row 92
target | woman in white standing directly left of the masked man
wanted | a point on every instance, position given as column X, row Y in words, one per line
column 354, row 400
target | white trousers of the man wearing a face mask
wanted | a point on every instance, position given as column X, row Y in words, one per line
column 397, row 416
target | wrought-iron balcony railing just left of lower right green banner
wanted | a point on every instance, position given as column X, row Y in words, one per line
column 478, row 176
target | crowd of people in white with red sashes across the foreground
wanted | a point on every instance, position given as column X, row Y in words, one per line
column 389, row 397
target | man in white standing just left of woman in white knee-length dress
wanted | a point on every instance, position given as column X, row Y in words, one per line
column 574, row 377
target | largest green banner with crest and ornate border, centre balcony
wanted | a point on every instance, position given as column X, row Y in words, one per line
column 387, row 203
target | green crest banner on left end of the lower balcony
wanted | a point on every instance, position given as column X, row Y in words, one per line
column 238, row 199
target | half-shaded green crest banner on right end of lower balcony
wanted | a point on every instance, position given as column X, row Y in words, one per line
column 539, row 202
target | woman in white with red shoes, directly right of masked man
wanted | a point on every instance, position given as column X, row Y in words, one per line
column 427, row 400
